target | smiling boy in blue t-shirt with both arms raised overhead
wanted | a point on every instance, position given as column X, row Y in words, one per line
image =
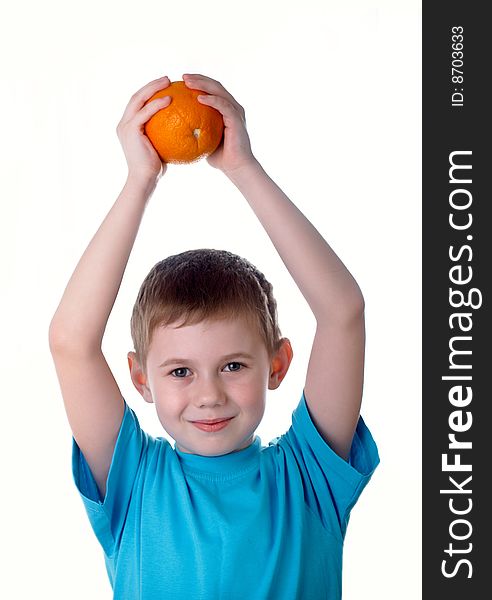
column 219, row 516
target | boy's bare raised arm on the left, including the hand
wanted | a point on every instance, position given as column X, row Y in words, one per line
column 92, row 399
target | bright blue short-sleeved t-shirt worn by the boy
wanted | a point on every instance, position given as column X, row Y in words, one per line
column 262, row 523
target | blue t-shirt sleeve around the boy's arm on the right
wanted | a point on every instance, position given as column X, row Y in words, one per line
column 331, row 485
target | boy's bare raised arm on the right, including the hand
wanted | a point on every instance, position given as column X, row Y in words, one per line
column 334, row 380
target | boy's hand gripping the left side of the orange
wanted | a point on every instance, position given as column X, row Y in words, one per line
column 141, row 157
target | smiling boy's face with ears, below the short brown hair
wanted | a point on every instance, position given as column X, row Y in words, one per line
column 211, row 371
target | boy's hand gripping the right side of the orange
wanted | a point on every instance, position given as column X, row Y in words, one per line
column 234, row 151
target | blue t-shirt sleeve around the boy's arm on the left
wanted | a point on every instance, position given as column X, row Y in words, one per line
column 107, row 517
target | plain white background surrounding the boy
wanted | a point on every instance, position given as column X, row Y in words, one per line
column 332, row 97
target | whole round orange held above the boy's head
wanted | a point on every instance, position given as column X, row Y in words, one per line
column 184, row 131
